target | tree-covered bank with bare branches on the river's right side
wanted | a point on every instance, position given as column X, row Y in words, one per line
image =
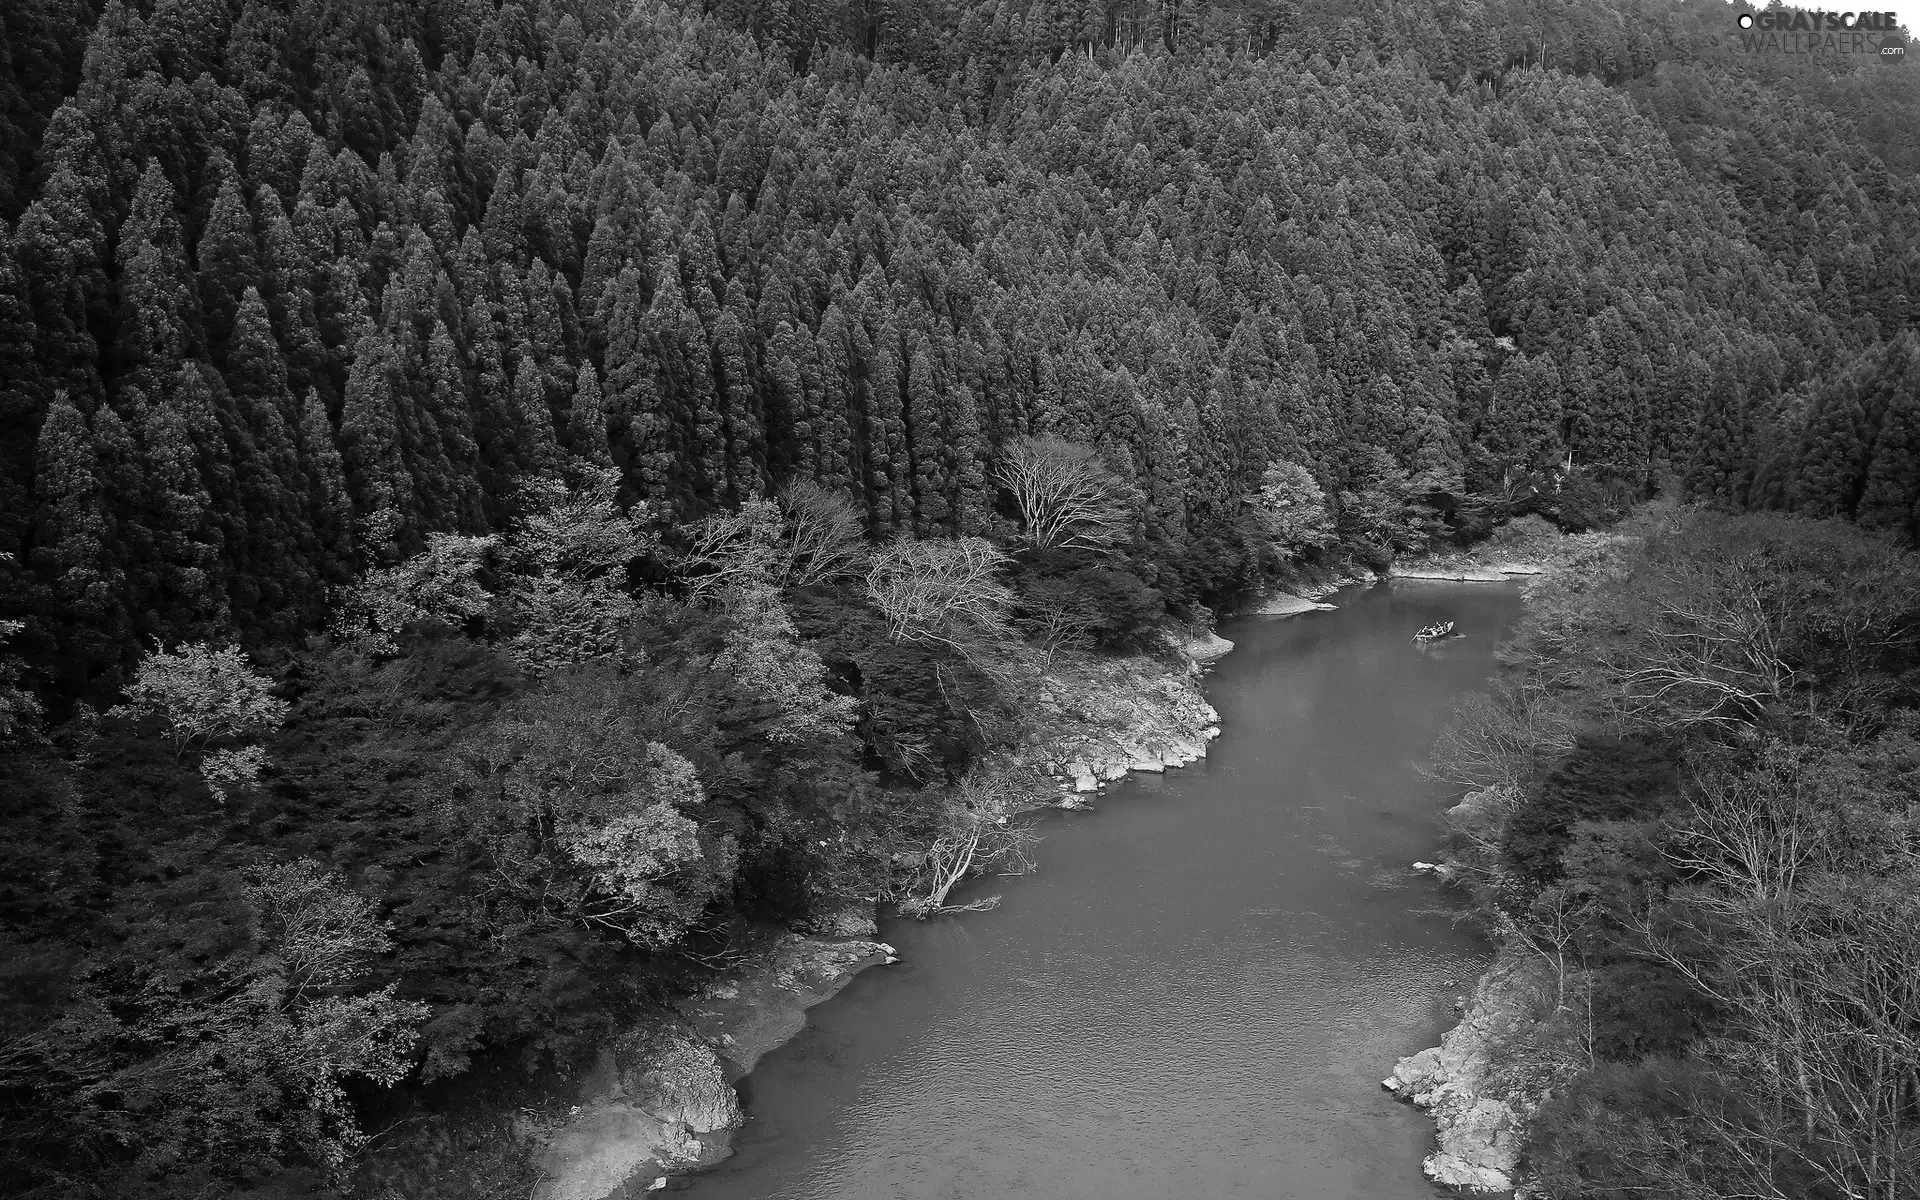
column 1694, row 811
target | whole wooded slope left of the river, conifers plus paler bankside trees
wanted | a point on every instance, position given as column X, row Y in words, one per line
column 498, row 494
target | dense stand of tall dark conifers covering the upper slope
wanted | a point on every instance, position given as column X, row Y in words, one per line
column 279, row 272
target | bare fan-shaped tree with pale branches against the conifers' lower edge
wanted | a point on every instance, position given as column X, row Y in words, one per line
column 1067, row 498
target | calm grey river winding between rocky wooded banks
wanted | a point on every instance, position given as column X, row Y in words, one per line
column 1201, row 990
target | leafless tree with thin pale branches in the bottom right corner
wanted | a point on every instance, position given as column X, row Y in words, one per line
column 1817, row 969
